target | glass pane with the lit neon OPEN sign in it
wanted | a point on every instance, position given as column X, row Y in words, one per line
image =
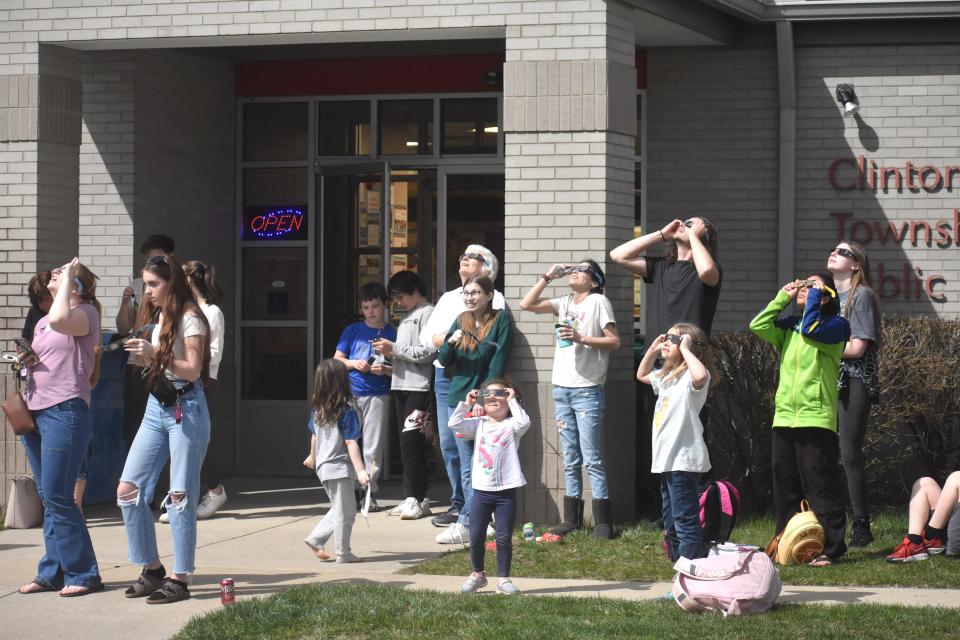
column 268, row 196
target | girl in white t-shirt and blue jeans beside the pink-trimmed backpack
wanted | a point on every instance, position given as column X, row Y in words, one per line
column 679, row 451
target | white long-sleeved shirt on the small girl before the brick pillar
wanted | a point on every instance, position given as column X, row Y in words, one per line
column 496, row 462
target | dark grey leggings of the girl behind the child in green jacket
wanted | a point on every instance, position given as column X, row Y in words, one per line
column 853, row 412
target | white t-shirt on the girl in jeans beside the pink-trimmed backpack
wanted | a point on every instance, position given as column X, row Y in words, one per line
column 678, row 443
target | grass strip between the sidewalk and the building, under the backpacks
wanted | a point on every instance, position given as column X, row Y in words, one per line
column 637, row 555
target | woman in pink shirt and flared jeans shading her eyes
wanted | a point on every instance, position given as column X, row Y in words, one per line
column 58, row 395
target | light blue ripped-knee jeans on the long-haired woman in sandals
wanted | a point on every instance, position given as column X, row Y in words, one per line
column 185, row 444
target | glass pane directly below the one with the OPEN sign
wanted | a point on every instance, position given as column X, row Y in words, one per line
column 275, row 283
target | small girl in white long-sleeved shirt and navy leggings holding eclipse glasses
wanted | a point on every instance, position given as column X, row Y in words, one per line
column 496, row 473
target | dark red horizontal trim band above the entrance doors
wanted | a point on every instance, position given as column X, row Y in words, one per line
column 360, row 76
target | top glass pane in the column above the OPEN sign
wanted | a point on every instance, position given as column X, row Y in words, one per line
column 275, row 131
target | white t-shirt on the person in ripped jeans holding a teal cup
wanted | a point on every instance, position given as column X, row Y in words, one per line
column 579, row 365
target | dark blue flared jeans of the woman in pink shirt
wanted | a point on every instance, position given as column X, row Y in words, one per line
column 55, row 451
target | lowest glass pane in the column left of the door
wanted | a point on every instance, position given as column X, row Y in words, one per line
column 274, row 363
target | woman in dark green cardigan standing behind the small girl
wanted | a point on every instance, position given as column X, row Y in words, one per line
column 476, row 348
